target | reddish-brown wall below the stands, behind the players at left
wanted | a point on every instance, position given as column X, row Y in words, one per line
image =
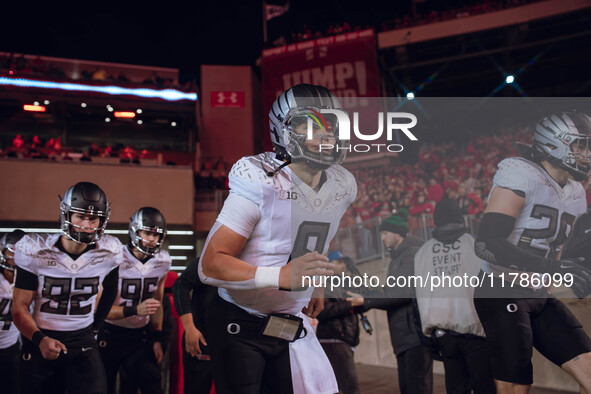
column 30, row 189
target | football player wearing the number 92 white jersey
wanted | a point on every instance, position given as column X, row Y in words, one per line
column 61, row 275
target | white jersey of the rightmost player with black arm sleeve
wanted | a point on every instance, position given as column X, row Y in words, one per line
column 549, row 212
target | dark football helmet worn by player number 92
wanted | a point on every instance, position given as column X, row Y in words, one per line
column 87, row 201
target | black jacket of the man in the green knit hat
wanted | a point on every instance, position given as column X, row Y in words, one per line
column 399, row 303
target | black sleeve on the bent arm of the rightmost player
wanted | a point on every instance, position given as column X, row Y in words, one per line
column 493, row 246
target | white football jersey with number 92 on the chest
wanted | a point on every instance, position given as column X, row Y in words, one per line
column 67, row 289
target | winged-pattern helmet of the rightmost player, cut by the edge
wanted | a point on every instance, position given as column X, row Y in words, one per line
column 563, row 140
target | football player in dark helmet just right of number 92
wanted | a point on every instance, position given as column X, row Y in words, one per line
column 125, row 339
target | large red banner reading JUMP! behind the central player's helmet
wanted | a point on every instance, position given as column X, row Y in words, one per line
column 346, row 64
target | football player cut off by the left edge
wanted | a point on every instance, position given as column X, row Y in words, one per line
column 9, row 344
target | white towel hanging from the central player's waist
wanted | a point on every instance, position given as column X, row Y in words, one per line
column 311, row 372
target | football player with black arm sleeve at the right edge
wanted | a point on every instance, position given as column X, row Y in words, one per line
column 533, row 204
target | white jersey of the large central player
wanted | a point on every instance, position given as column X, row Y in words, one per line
column 294, row 220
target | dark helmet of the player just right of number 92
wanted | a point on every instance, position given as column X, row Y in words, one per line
column 150, row 220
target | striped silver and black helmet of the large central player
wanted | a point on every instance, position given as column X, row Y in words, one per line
column 295, row 112
